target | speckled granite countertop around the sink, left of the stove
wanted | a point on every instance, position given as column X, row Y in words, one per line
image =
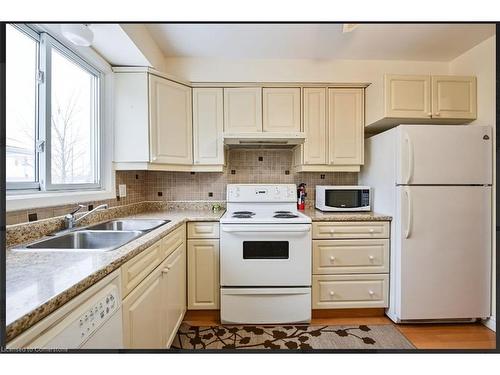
column 38, row 282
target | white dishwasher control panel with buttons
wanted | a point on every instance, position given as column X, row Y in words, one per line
column 98, row 313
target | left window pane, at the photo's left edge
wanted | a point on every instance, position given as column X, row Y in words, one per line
column 21, row 108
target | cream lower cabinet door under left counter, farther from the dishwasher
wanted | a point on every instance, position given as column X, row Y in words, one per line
column 174, row 293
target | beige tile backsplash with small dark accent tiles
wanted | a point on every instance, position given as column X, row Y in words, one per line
column 244, row 166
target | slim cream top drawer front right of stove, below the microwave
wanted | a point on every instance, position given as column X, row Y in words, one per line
column 351, row 229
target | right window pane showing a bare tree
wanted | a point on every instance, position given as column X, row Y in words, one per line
column 73, row 125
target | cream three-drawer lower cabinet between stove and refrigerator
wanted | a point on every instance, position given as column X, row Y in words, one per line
column 351, row 268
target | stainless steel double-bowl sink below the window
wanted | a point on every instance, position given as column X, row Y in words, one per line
column 105, row 236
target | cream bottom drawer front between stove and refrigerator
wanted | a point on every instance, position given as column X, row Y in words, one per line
column 350, row 291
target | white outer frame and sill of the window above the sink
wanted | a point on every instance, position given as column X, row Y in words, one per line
column 30, row 199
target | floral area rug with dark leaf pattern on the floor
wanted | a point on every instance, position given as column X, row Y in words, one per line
column 292, row 337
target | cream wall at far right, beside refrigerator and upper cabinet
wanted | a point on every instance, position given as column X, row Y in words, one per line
column 481, row 62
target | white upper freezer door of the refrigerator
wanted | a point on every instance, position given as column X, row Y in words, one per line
column 446, row 154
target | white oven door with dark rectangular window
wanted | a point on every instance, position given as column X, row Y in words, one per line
column 265, row 255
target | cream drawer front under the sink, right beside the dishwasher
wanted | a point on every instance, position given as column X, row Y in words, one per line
column 137, row 268
